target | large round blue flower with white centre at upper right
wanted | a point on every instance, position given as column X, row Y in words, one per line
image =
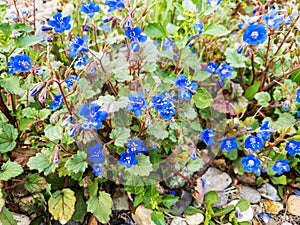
column 255, row 34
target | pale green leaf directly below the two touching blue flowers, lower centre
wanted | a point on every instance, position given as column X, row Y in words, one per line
column 143, row 168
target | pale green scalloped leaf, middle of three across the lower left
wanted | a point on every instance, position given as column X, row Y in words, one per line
column 42, row 162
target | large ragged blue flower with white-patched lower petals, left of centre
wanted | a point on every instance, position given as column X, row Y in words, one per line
column 93, row 115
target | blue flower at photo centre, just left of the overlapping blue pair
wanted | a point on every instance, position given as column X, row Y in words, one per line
column 137, row 103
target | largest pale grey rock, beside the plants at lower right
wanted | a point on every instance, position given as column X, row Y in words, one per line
column 215, row 180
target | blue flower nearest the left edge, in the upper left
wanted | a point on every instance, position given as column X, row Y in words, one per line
column 20, row 63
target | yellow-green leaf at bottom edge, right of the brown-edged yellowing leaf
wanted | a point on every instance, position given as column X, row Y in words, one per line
column 101, row 206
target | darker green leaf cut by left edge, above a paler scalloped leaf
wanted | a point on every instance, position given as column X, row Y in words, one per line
column 7, row 138
